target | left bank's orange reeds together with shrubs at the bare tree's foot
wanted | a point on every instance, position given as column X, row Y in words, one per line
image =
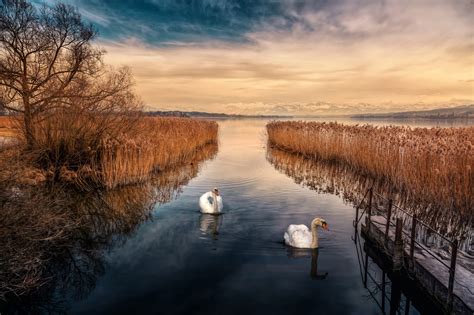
column 109, row 151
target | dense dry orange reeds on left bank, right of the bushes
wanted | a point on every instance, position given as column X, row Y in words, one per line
column 160, row 143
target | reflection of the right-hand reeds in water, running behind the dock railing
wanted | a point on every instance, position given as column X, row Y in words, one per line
column 334, row 178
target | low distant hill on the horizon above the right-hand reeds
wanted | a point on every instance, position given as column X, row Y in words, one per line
column 464, row 111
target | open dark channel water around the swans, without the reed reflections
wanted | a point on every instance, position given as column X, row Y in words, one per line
column 182, row 261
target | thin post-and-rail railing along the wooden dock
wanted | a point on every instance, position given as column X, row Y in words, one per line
column 411, row 234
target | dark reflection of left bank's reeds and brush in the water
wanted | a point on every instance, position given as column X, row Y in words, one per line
column 85, row 227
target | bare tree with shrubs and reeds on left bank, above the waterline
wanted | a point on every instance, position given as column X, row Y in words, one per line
column 74, row 118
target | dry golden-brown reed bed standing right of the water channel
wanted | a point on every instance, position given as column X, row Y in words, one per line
column 432, row 167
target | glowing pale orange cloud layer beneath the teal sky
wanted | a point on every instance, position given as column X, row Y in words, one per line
column 418, row 54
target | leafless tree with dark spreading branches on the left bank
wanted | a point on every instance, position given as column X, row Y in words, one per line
column 47, row 62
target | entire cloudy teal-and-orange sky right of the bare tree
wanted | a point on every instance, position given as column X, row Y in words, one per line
column 314, row 57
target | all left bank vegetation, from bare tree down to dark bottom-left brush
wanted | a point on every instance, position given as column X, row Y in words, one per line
column 75, row 131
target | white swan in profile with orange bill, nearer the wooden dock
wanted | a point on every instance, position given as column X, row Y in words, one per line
column 299, row 236
